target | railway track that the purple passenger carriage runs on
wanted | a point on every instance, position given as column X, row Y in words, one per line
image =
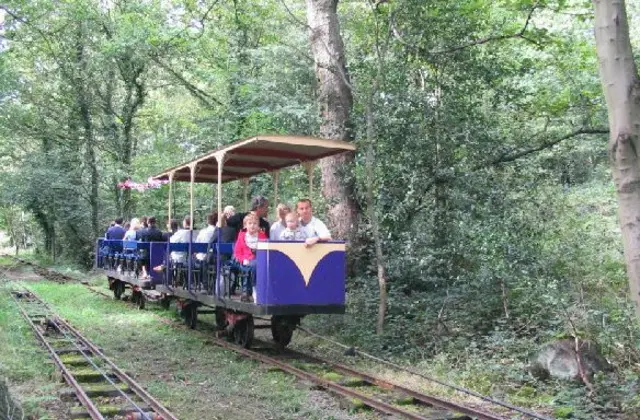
column 362, row 388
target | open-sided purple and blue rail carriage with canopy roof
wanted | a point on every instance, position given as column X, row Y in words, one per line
column 291, row 280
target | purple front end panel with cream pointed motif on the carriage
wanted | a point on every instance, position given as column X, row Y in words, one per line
column 288, row 273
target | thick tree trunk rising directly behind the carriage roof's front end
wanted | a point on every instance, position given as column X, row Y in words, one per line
column 335, row 100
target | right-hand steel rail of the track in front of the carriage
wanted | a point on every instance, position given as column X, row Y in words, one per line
column 383, row 383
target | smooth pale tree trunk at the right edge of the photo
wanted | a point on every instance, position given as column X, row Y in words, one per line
column 621, row 86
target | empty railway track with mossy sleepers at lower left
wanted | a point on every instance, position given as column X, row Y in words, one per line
column 103, row 389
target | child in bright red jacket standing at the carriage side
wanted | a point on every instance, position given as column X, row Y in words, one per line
column 245, row 252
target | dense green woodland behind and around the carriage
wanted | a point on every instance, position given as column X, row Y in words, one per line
column 481, row 200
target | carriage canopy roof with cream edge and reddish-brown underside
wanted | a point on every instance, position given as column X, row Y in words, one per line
column 255, row 155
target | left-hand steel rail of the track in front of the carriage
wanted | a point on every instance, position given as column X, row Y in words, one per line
column 327, row 384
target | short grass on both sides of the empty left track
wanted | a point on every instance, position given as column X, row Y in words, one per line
column 183, row 370
